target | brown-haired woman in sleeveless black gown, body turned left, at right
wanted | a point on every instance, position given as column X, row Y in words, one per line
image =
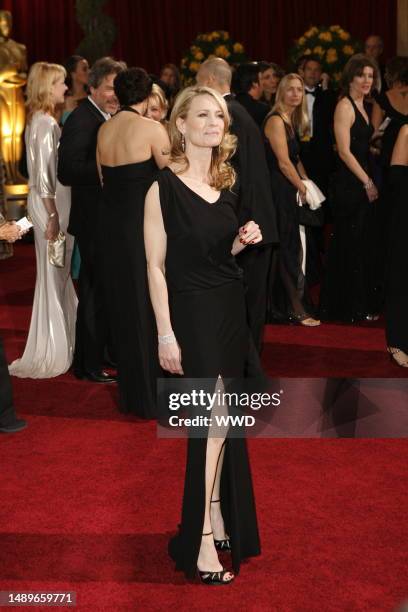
column 348, row 292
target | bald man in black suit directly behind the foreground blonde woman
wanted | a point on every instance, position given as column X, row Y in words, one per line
column 254, row 190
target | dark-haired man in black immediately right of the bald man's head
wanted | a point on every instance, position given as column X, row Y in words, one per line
column 248, row 88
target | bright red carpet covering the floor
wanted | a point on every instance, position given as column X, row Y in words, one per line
column 88, row 497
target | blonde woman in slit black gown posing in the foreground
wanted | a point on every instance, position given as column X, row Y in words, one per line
column 191, row 237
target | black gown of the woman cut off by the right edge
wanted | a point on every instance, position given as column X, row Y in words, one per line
column 397, row 281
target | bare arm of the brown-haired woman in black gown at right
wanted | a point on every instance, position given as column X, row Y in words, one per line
column 343, row 120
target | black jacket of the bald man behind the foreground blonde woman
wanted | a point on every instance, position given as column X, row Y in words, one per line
column 253, row 184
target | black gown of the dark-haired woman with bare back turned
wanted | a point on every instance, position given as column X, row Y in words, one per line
column 125, row 281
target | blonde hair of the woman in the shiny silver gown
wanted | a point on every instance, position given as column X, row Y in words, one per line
column 41, row 78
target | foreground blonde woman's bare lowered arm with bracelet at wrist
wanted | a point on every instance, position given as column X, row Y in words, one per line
column 156, row 245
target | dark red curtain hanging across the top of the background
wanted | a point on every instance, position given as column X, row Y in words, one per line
column 152, row 33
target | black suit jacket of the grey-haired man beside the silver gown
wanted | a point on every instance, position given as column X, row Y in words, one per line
column 77, row 166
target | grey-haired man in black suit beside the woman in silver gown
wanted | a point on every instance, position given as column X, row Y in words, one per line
column 77, row 168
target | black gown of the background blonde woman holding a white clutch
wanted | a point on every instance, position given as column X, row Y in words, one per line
column 288, row 292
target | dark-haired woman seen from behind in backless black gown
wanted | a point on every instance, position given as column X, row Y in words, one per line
column 130, row 148
